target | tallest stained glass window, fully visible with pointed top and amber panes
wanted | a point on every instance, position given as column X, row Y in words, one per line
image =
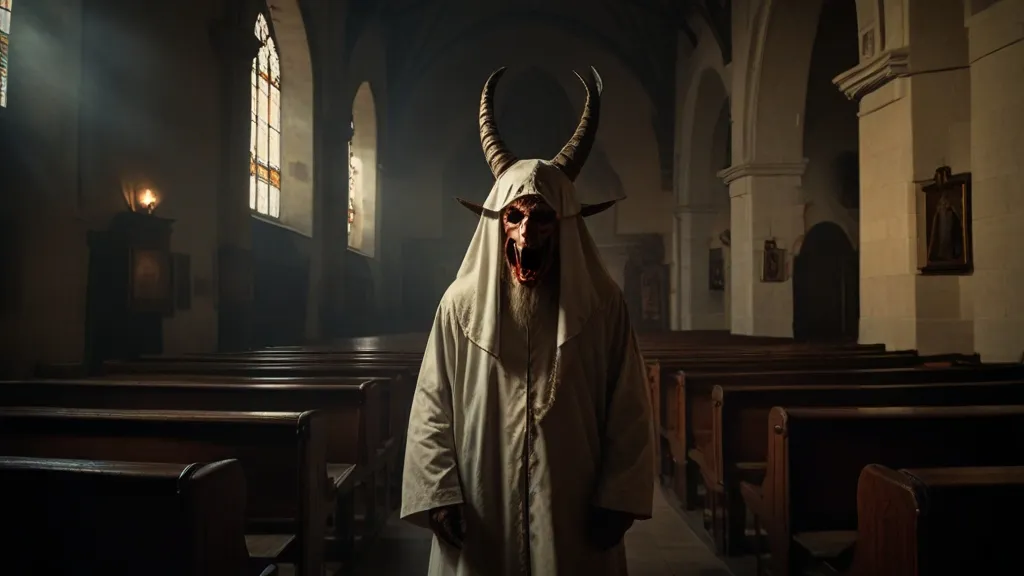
column 265, row 140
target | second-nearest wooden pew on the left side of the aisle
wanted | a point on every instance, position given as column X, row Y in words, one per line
column 283, row 456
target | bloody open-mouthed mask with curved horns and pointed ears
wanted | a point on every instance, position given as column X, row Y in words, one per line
column 530, row 225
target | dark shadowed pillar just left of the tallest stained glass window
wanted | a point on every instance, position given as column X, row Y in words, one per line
column 237, row 47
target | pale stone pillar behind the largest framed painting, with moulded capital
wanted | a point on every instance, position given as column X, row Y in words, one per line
column 910, row 126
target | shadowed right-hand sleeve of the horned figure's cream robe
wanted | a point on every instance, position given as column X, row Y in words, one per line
column 626, row 481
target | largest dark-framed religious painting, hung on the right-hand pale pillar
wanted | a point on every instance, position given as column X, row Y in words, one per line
column 948, row 224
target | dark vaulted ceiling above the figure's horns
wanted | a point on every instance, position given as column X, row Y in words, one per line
column 643, row 34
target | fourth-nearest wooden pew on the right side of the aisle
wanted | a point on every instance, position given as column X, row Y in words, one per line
column 690, row 427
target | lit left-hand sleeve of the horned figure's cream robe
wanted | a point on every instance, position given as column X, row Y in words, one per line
column 431, row 476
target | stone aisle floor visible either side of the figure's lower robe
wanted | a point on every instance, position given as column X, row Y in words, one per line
column 665, row 546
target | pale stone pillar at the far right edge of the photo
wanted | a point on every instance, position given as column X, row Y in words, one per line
column 997, row 57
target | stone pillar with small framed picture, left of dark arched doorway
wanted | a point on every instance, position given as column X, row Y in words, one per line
column 766, row 204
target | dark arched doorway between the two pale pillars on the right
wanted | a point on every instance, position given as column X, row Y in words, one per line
column 826, row 287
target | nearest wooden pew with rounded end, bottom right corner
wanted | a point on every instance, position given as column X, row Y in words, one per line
column 931, row 522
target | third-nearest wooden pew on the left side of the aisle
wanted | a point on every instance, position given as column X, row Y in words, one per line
column 354, row 444
